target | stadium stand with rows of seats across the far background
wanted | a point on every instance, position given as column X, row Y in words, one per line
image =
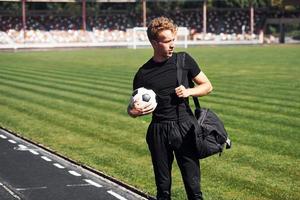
column 222, row 25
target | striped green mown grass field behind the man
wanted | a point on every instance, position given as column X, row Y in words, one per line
column 74, row 102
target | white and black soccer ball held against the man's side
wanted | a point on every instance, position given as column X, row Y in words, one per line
column 143, row 96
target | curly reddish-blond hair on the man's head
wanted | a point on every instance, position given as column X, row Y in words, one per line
column 160, row 24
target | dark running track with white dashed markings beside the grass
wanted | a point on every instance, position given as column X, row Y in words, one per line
column 28, row 172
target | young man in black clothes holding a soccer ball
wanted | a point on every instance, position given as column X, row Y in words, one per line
column 171, row 129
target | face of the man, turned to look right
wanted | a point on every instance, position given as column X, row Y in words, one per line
column 164, row 45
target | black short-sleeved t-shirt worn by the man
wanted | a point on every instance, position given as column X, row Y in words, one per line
column 162, row 79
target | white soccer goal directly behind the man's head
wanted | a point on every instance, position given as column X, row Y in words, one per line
column 140, row 39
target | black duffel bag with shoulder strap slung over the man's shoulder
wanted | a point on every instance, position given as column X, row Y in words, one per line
column 210, row 134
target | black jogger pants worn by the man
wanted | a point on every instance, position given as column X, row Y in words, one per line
column 166, row 139
